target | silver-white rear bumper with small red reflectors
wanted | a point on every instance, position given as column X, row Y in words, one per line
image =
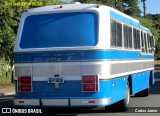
column 62, row 102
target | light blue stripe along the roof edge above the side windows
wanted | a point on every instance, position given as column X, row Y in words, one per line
column 127, row 21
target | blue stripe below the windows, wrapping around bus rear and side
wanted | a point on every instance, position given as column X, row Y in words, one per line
column 77, row 56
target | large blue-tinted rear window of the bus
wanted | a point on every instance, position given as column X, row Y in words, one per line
column 60, row 30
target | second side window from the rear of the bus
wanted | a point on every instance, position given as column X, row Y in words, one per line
column 127, row 36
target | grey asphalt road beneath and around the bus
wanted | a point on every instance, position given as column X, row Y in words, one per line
column 137, row 107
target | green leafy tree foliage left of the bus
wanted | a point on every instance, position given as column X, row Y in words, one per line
column 10, row 12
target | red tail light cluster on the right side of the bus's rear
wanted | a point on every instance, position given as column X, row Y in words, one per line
column 90, row 83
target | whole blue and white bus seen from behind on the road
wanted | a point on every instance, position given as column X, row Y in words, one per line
column 79, row 55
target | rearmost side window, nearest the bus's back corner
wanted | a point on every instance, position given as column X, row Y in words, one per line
column 116, row 34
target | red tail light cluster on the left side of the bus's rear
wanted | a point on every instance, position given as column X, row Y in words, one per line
column 24, row 84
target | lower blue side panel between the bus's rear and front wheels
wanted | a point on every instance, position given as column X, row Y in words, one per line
column 140, row 81
